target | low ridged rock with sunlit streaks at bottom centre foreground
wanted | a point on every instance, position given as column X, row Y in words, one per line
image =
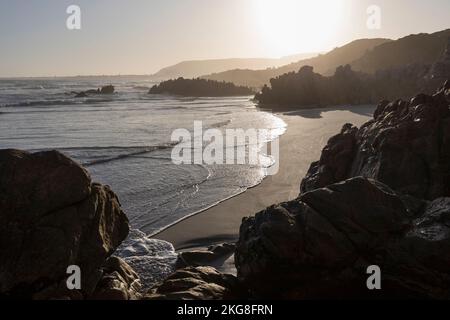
column 195, row 283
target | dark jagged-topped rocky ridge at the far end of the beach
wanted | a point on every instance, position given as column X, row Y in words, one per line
column 347, row 87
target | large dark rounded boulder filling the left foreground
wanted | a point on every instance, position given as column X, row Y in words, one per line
column 52, row 216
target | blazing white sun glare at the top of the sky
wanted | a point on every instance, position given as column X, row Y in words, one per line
column 294, row 26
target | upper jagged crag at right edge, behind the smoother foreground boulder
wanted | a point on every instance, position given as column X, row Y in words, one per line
column 406, row 146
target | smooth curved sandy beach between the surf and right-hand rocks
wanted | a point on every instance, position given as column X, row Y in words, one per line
column 307, row 133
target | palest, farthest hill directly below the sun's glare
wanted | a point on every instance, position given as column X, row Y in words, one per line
column 197, row 68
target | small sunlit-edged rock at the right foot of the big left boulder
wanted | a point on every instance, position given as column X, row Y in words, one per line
column 119, row 282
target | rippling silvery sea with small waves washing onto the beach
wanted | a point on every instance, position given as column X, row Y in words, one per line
column 124, row 140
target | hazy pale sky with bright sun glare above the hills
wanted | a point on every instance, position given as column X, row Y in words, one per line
column 142, row 36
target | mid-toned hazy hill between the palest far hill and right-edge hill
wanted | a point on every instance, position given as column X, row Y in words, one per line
column 324, row 64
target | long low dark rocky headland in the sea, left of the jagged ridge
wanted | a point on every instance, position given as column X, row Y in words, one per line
column 199, row 88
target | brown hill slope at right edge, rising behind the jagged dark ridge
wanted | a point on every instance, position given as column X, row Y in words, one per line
column 420, row 48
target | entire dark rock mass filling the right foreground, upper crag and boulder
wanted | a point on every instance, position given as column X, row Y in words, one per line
column 379, row 195
